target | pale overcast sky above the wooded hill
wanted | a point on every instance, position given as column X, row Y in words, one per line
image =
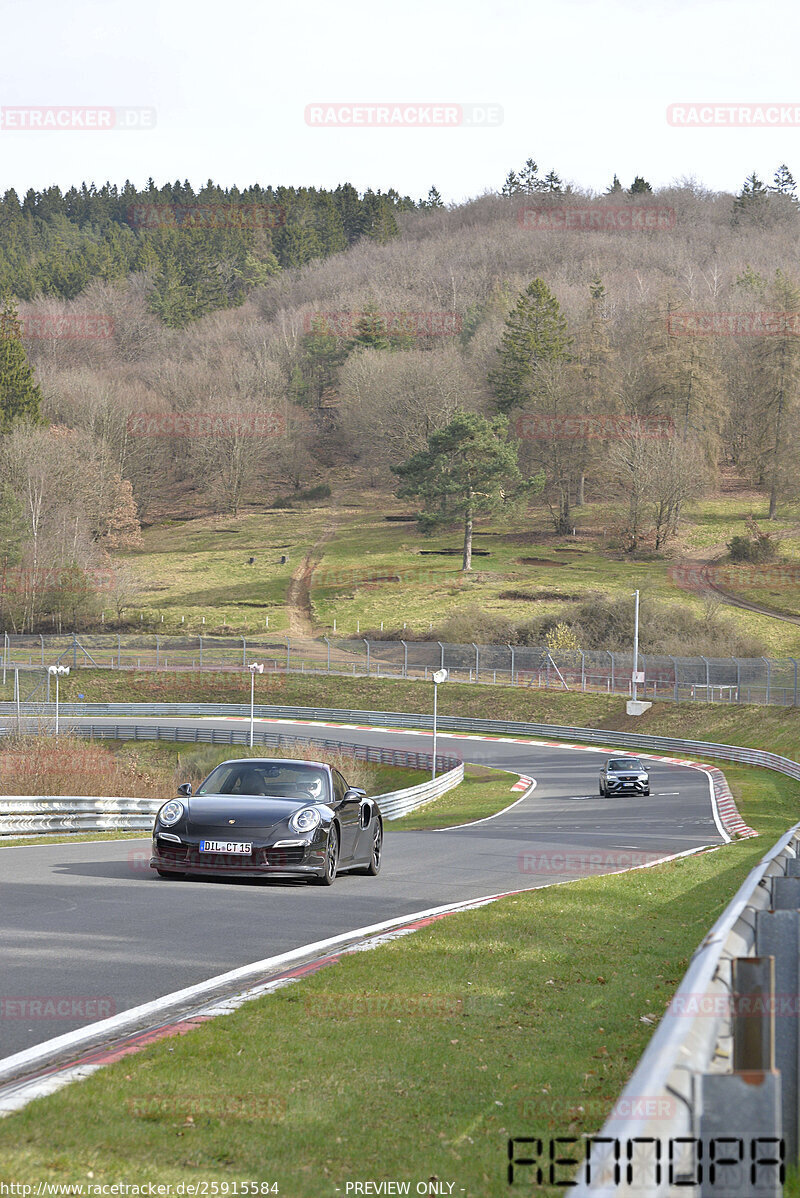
column 581, row 87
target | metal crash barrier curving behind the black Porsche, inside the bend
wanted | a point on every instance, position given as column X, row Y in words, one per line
column 31, row 815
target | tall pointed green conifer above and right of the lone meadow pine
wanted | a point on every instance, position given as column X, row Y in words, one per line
column 536, row 332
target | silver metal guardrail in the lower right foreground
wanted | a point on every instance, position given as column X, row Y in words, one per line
column 723, row 1064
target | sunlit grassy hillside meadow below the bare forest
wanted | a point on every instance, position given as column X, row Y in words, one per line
column 198, row 568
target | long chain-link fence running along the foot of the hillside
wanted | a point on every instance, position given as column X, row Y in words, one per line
column 708, row 680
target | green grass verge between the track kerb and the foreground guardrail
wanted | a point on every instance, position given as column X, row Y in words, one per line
column 419, row 1060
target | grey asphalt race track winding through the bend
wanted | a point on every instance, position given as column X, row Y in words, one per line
column 92, row 922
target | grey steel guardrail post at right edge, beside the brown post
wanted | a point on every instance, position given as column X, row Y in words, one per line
column 778, row 937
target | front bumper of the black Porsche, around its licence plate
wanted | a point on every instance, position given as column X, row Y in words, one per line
column 284, row 857
